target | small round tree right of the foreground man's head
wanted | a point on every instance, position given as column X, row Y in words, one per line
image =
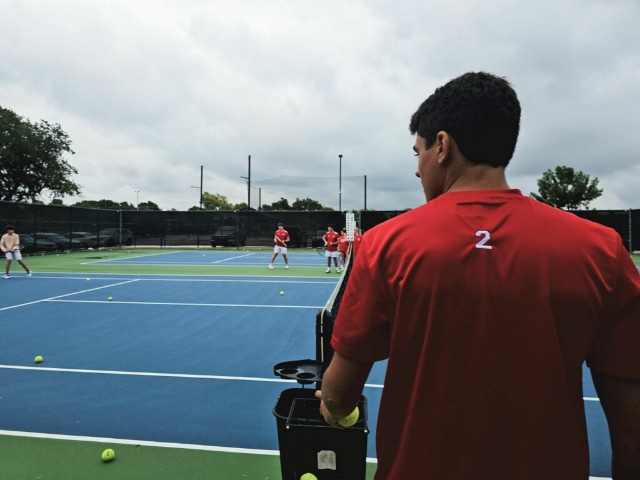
column 567, row 188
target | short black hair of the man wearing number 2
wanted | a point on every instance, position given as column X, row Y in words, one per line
column 479, row 110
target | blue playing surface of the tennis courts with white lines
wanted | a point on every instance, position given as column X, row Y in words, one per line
column 182, row 359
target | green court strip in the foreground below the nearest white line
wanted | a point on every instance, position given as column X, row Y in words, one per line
column 49, row 459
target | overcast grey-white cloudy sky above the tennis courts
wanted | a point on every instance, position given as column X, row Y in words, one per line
column 150, row 91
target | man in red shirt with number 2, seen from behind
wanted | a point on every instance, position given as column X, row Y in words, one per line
column 486, row 314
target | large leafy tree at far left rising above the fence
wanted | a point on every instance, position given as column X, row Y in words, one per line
column 31, row 159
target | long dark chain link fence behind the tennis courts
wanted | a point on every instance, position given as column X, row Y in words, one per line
column 45, row 228
